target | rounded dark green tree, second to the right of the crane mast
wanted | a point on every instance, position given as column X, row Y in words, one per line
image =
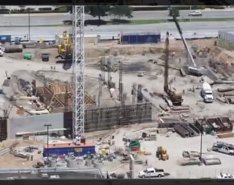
column 121, row 11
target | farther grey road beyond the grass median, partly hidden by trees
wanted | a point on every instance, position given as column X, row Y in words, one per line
column 55, row 19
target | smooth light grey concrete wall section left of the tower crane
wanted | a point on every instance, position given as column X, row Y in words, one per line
column 34, row 123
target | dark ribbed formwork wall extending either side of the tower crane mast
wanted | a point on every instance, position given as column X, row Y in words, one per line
column 106, row 118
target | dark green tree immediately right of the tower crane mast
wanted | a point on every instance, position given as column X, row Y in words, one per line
column 97, row 10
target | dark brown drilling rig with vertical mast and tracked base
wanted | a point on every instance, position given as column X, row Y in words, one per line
column 175, row 98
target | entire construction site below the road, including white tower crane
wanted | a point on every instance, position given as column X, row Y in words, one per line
column 113, row 109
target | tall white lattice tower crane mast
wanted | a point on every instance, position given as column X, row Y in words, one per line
column 78, row 73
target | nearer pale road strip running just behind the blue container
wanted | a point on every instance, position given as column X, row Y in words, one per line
column 201, row 28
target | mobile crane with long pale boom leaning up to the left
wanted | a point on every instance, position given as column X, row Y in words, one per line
column 192, row 68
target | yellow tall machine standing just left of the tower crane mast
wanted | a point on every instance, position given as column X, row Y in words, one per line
column 65, row 49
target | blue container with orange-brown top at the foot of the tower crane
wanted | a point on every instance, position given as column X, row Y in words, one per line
column 65, row 149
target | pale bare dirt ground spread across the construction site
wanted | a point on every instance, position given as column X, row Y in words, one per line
column 136, row 58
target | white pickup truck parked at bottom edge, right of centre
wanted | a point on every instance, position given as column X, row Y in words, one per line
column 151, row 172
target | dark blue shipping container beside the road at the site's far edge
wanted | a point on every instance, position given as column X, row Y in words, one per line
column 140, row 38
